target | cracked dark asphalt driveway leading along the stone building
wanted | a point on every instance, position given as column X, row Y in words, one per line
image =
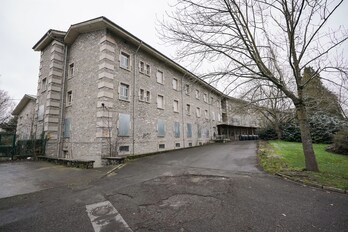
column 210, row 188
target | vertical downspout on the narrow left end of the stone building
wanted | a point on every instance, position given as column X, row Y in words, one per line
column 60, row 143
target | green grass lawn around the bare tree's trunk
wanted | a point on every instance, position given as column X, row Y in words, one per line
column 287, row 158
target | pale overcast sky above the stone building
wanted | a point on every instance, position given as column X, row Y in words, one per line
column 24, row 22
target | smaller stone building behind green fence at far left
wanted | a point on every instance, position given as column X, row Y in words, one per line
column 25, row 111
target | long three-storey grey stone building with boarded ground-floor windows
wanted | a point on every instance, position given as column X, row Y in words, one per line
column 104, row 92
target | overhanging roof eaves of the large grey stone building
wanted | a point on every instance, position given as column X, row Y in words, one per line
column 104, row 23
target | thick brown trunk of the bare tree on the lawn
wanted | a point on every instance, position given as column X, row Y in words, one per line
column 310, row 160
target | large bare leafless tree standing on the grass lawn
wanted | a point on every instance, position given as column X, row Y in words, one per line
column 267, row 40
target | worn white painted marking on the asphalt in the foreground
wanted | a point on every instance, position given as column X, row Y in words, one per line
column 104, row 217
